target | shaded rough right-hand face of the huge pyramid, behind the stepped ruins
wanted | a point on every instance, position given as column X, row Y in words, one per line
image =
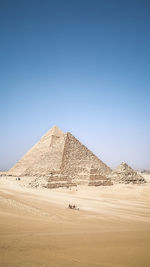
column 78, row 160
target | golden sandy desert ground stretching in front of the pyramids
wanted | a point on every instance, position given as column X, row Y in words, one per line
column 111, row 229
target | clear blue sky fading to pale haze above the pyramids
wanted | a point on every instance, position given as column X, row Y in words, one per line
column 82, row 65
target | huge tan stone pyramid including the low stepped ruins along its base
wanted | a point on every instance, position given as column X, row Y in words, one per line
column 60, row 160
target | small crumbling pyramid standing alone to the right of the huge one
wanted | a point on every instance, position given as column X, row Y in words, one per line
column 125, row 174
